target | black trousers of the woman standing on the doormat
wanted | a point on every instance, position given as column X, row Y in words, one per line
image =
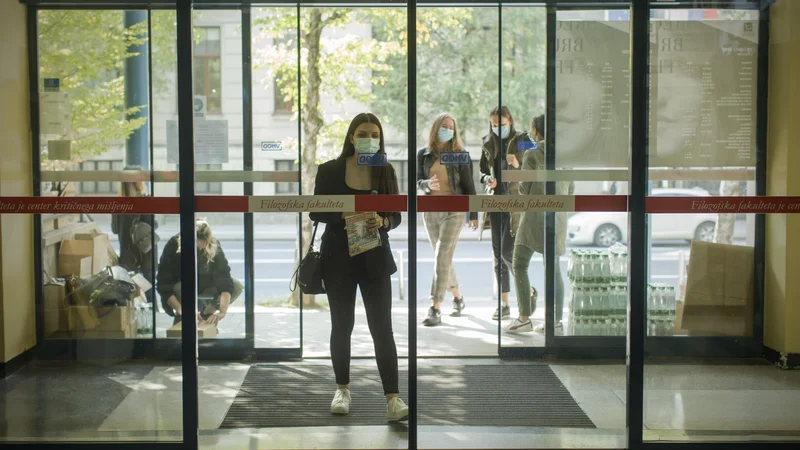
column 377, row 295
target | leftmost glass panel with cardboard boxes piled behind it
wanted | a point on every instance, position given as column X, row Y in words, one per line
column 85, row 384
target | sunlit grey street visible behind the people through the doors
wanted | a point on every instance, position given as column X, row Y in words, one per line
column 277, row 324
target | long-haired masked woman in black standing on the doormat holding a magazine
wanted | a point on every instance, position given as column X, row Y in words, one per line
column 370, row 271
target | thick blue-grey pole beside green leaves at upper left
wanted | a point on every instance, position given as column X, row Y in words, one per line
column 137, row 93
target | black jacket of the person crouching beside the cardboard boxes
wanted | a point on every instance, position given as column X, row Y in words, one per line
column 216, row 273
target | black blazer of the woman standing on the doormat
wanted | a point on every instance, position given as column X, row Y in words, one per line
column 336, row 260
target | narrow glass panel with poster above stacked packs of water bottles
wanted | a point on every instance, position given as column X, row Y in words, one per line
column 592, row 140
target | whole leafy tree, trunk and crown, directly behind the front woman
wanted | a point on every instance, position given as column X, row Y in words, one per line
column 339, row 67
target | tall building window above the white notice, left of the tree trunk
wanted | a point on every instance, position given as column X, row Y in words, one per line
column 207, row 67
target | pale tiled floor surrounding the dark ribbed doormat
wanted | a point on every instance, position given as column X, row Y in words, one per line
column 129, row 401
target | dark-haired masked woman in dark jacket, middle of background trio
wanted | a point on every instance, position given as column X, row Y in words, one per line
column 495, row 158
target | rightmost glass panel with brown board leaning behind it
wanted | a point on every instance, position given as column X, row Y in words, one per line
column 704, row 282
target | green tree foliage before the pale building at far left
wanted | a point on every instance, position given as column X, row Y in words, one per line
column 86, row 50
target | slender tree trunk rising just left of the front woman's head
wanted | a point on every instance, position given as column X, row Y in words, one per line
column 313, row 121
